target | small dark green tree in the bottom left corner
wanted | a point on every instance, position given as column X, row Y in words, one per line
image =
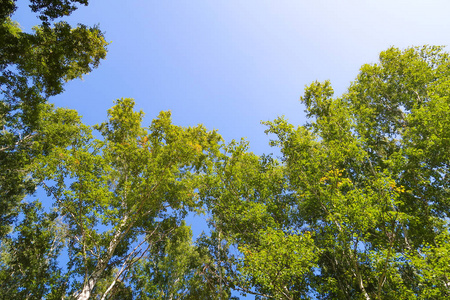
column 29, row 261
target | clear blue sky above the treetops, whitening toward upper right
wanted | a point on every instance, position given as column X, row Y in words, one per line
column 230, row 64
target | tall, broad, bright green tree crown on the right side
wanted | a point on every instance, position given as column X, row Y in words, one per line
column 369, row 180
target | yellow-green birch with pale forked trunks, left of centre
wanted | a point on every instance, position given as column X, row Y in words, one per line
column 121, row 195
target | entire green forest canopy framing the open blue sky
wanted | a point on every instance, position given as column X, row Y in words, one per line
column 355, row 207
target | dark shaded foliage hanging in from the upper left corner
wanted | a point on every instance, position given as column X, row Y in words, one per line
column 34, row 66
